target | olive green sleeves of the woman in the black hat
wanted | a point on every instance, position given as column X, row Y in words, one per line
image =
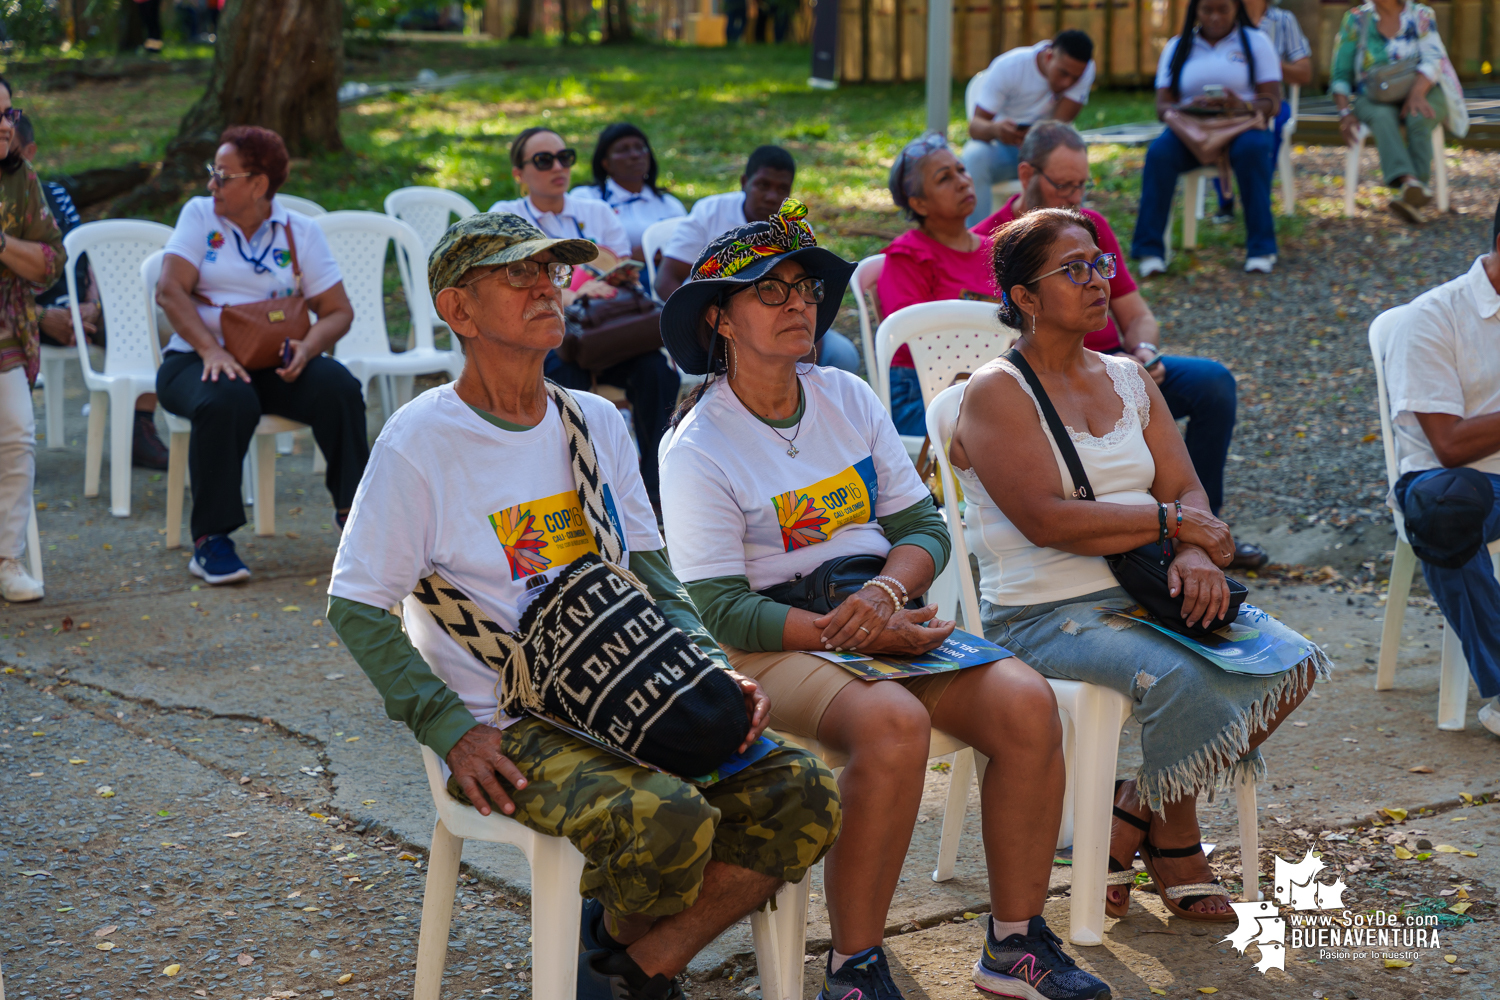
column 745, row 620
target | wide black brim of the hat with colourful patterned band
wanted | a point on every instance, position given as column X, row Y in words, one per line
column 685, row 308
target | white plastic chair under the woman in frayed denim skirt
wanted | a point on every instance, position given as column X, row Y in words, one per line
column 1093, row 720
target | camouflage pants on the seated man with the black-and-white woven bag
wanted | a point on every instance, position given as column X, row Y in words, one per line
column 646, row 836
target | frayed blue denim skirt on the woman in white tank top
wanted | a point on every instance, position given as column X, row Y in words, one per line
column 1196, row 720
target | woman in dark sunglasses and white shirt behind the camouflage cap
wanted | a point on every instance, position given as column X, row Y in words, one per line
column 542, row 166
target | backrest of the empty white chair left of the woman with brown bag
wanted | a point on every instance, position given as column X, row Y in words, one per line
column 116, row 250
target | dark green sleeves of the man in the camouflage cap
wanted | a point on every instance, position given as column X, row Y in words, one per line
column 431, row 710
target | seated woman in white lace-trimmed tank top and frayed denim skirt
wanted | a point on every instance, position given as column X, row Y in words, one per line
column 1042, row 567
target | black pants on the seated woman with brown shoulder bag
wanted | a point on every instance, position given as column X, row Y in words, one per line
column 224, row 416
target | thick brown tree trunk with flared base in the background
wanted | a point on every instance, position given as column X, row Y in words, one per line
column 280, row 68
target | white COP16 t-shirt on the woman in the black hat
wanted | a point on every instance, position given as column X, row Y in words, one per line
column 736, row 504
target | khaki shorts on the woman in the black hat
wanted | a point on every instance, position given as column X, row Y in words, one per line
column 802, row 687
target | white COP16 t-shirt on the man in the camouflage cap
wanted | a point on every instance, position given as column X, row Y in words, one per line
column 494, row 512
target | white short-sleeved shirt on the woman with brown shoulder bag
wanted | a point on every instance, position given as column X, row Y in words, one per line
column 236, row 269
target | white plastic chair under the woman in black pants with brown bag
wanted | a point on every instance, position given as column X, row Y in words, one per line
column 260, row 464
